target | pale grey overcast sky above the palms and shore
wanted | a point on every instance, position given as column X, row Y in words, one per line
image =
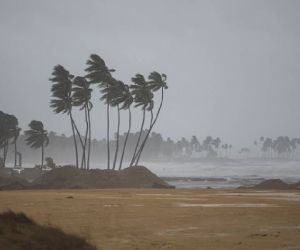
column 233, row 66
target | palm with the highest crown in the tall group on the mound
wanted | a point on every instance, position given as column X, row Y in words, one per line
column 99, row 73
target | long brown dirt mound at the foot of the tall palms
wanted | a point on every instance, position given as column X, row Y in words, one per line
column 70, row 177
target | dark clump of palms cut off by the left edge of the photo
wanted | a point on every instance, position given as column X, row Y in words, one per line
column 9, row 133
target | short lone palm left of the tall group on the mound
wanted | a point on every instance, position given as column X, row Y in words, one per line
column 37, row 136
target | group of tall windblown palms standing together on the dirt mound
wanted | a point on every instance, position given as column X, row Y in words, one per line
column 69, row 92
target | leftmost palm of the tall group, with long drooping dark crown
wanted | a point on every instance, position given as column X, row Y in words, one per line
column 62, row 99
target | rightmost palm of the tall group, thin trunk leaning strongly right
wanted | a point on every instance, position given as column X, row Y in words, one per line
column 157, row 82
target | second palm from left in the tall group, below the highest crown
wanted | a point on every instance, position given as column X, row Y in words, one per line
column 81, row 95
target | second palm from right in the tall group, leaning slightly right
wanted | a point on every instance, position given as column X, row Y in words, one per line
column 143, row 97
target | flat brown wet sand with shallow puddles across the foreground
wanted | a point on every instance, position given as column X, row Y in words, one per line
column 167, row 219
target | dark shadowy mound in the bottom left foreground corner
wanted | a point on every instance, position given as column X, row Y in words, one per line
column 18, row 232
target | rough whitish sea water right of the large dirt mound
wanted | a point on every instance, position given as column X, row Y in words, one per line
column 226, row 174
